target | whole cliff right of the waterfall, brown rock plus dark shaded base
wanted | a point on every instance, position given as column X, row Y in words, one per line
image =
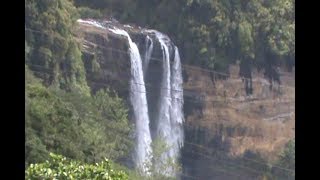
column 236, row 129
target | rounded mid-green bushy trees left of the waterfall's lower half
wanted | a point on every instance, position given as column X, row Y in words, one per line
column 76, row 126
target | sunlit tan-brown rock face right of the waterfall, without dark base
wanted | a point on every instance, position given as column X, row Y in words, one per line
column 261, row 122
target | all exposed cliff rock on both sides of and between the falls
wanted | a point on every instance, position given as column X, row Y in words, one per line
column 220, row 117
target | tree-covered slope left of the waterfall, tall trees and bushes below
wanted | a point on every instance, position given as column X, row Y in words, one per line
column 62, row 113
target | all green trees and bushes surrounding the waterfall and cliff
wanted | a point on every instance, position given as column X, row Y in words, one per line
column 64, row 116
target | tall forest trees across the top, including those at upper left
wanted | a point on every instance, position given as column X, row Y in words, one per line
column 209, row 33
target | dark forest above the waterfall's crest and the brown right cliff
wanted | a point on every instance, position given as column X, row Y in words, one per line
column 215, row 33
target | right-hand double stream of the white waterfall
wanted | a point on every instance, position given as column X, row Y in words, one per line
column 170, row 117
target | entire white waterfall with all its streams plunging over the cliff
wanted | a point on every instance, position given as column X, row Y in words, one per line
column 169, row 117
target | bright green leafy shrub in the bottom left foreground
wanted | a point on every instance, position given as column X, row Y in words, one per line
column 59, row 167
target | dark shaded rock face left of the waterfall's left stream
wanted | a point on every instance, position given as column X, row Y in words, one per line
column 105, row 67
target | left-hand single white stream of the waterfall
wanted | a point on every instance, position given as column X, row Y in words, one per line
column 143, row 153
